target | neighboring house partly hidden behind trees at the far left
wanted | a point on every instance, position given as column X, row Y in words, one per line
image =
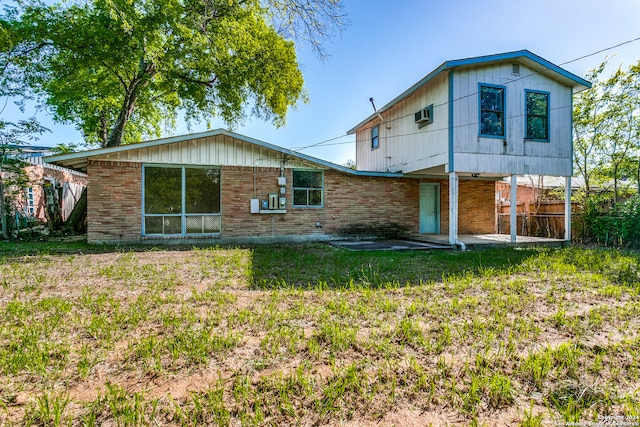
column 68, row 185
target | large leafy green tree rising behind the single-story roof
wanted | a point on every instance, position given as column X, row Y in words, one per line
column 122, row 70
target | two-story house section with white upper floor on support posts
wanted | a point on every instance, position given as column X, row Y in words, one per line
column 467, row 124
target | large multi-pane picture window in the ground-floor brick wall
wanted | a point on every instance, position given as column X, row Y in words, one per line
column 181, row 200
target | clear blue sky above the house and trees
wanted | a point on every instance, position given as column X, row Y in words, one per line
column 388, row 46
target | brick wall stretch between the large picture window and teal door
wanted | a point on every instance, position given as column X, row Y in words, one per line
column 348, row 200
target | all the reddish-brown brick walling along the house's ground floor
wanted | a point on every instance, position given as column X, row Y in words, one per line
column 114, row 203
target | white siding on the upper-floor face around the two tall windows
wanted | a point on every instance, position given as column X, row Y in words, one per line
column 512, row 154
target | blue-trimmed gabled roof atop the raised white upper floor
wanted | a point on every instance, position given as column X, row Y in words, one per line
column 533, row 61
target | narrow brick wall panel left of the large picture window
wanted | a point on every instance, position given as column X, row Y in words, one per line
column 114, row 201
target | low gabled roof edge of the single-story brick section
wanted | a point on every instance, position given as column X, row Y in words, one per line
column 78, row 161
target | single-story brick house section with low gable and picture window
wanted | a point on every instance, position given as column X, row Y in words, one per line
column 224, row 187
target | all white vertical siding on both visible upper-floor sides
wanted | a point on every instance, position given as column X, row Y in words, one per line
column 407, row 148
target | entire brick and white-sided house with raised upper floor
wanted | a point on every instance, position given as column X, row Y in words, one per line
column 427, row 163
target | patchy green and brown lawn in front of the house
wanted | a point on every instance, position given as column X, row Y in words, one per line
column 312, row 335
